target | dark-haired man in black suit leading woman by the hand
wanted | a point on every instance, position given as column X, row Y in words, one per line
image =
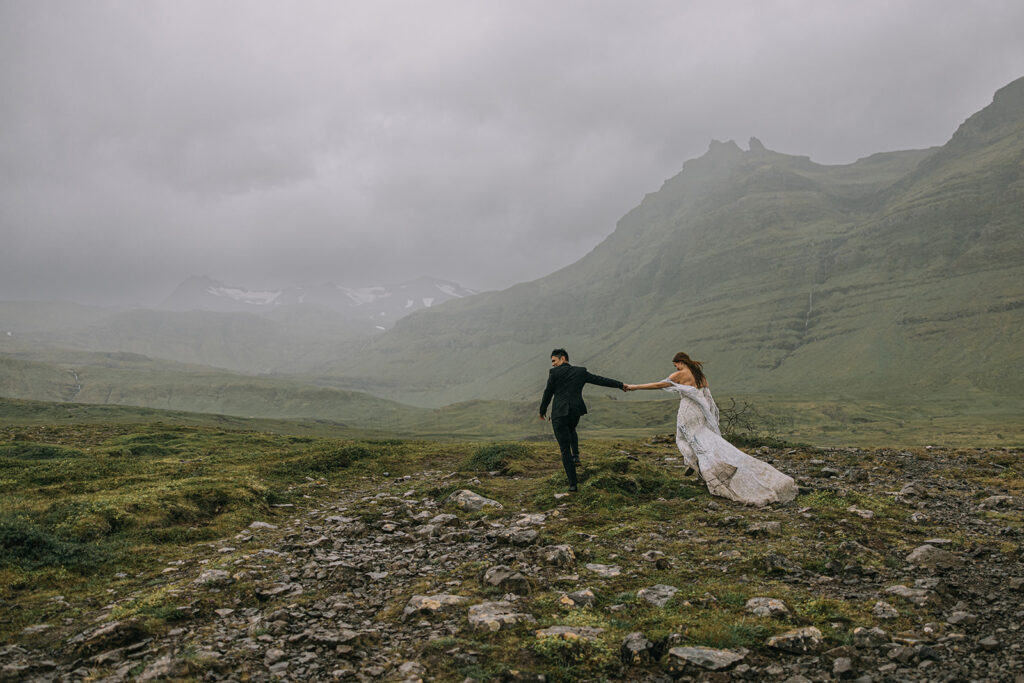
column 566, row 385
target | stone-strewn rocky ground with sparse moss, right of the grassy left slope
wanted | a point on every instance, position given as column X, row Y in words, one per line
column 892, row 566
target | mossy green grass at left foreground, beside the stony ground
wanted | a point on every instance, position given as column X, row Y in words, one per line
column 86, row 502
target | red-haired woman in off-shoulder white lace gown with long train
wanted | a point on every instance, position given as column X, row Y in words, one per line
column 728, row 472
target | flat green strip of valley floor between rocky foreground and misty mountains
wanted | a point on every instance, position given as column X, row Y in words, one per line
column 838, row 419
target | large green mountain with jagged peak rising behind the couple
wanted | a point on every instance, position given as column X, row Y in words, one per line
column 898, row 278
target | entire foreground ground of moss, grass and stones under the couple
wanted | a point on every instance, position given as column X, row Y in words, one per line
column 161, row 551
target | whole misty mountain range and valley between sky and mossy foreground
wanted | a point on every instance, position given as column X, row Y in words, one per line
column 894, row 282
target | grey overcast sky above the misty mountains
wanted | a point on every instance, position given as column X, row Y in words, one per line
column 275, row 144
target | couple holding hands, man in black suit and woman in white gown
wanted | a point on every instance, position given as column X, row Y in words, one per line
column 727, row 471
